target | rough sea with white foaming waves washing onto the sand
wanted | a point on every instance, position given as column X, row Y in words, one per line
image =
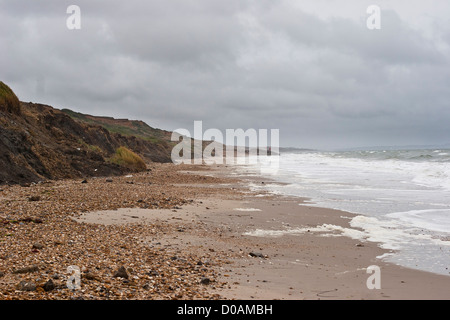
column 401, row 198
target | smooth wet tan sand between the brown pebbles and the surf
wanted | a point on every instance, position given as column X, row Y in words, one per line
column 278, row 248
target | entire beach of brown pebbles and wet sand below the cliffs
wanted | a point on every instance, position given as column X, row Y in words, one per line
column 188, row 232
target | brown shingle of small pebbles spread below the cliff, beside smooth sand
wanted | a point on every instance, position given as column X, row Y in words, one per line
column 50, row 225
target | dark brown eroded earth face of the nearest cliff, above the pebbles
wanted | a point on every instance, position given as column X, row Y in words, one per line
column 40, row 143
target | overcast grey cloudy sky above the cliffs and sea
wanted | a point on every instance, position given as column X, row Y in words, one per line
column 312, row 69
